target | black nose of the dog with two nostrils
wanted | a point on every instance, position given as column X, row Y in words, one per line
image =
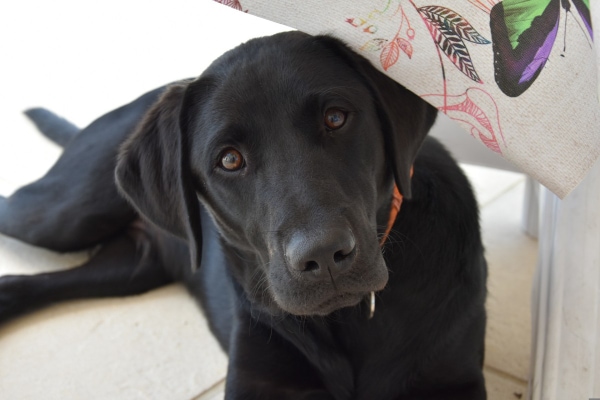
column 322, row 254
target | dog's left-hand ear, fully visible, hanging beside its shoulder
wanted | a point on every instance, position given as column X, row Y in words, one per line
column 153, row 171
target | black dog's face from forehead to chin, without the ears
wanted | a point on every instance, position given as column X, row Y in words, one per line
column 288, row 156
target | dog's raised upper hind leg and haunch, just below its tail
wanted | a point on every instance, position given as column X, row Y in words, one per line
column 76, row 204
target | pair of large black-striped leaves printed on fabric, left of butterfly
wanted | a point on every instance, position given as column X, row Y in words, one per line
column 448, row 29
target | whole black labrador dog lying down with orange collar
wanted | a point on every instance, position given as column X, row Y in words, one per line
column 267, row 186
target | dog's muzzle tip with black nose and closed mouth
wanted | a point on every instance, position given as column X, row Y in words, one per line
column 318, row 273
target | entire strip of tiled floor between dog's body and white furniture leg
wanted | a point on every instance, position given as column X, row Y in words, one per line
column 511, row 257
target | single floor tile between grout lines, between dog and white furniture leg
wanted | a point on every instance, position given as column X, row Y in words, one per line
column 511, row 257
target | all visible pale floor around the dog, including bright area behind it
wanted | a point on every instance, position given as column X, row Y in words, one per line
column 156, row 346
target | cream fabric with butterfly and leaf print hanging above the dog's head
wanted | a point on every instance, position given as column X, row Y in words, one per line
column 519, row 75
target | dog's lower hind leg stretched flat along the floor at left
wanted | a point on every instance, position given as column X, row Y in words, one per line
column 127, row 264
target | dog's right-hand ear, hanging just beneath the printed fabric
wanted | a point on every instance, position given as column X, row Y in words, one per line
column 405, row 117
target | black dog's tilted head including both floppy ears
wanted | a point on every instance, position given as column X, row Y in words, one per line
column 292, row 143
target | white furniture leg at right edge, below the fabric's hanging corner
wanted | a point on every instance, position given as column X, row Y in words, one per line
column 566, row 296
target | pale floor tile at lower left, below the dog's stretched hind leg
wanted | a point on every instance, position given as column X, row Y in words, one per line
column 153, row 346
